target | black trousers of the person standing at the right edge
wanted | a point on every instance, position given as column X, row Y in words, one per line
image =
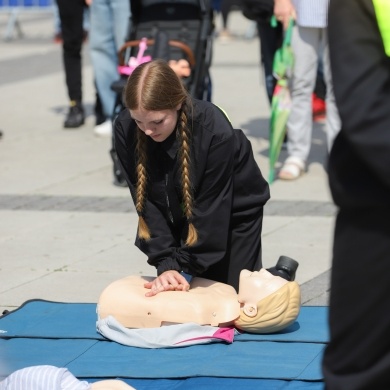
column 358, row 355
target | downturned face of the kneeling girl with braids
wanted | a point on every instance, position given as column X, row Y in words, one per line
column 158, row 125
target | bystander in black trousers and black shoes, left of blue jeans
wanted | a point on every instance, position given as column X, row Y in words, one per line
column 71, row 17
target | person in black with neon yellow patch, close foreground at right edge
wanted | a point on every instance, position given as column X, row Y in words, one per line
column 358, row 354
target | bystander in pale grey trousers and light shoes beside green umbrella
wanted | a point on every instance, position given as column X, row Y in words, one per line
column 309, row 43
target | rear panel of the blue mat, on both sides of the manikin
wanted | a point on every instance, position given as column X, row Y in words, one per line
column 44, row 319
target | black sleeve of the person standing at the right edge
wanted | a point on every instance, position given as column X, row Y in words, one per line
column 361, row 78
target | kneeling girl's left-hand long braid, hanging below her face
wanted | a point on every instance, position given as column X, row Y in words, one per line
column 143, row 229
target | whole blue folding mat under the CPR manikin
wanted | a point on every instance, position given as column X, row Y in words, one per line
column 64, row 335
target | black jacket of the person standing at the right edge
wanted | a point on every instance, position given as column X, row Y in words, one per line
column 359, row 165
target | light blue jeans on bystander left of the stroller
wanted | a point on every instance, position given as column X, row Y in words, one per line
column 108, row 31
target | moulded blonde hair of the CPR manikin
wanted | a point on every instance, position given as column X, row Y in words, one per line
column 275, row 312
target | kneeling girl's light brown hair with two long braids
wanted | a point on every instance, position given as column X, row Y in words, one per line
column 154, row 86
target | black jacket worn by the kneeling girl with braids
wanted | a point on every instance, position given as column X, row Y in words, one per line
column 228, row 189
